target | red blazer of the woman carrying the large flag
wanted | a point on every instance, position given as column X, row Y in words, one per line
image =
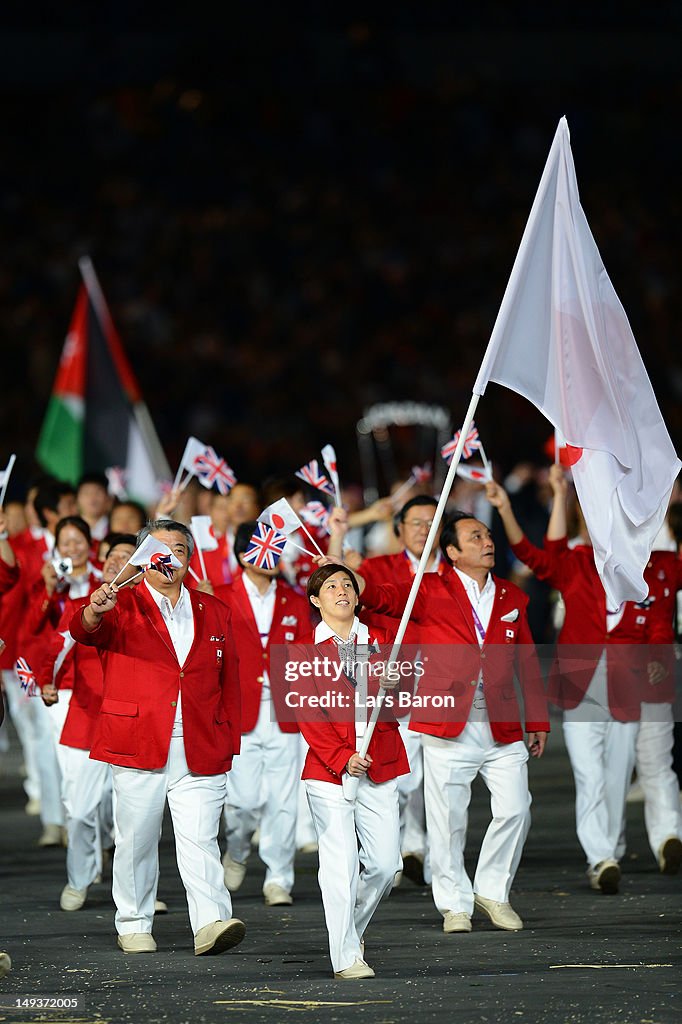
column 331, row 738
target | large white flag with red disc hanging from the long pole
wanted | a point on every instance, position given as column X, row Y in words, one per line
column 564, row 342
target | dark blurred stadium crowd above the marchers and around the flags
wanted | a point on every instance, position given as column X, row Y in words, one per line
column 293, row 220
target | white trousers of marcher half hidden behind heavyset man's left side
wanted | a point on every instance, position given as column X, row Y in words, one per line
column 84, row 787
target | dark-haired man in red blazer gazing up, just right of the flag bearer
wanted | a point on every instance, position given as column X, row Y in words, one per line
column 476, row 635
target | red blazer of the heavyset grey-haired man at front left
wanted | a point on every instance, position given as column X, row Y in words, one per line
column 143, row 679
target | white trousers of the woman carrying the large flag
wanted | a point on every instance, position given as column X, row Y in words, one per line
column 350, row 833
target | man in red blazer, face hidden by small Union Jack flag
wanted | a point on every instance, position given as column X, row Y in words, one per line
column 263, row 789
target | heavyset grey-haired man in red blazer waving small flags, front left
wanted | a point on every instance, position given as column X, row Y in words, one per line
column 169, row 724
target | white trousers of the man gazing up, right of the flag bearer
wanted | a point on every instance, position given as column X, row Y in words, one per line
column 450, row 769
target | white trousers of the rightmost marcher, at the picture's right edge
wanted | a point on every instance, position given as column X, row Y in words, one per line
column 655, row 771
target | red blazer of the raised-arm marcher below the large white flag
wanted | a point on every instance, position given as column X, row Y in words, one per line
column 584, row 636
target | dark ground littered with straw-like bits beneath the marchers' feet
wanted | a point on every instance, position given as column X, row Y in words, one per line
column 582, row 957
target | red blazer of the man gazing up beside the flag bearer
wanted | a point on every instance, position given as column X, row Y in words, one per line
column 449, row 641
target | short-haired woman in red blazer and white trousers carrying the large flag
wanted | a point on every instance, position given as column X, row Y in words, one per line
column 364, row 830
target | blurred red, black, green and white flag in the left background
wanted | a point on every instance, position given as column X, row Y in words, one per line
column 96, row 417
